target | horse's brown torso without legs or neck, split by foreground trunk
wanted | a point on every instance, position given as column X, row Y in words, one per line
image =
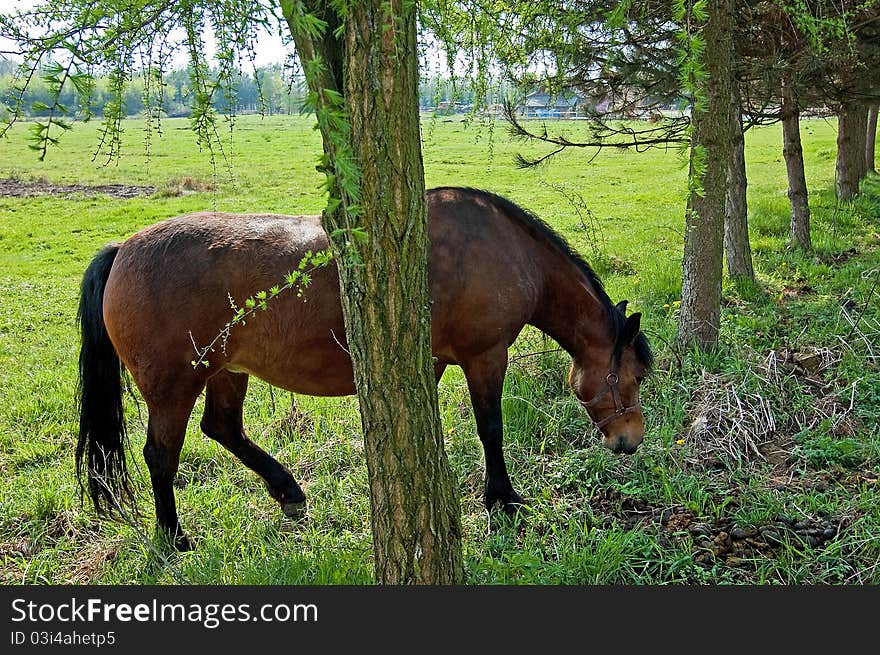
column 175, row 285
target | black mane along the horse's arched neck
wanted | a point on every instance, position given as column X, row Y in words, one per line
column 540, row 230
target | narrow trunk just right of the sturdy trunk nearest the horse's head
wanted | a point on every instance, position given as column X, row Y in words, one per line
column 736, row 225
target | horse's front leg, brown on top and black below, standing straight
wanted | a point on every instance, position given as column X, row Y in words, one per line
column 485, row 379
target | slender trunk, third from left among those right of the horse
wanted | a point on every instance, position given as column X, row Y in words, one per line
column 793, row 154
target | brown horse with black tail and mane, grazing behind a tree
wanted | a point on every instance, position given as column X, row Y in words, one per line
column 494, row 267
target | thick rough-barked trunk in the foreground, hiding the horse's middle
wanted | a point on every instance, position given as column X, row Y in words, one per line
column 382, row 253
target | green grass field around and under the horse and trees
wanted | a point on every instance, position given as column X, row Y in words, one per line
column 760, row 463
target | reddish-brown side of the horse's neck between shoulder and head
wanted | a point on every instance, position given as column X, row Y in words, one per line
column 568, row 311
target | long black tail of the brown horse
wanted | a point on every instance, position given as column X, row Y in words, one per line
column 100, row 449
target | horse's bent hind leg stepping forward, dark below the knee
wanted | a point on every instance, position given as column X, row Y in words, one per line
column 223, row 422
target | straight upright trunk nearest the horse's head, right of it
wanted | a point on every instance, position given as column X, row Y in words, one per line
column 702, row 263
